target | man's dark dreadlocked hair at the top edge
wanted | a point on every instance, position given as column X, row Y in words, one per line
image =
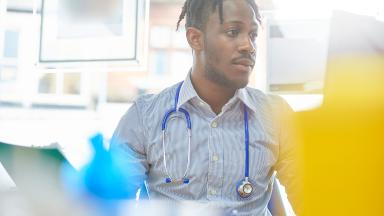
column 197, row 12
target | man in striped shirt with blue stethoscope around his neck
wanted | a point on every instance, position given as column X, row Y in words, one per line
column 238, row 135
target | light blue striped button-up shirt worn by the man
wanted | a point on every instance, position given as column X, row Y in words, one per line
column 217, row 161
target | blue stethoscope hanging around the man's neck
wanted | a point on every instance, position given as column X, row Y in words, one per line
column 244, row 187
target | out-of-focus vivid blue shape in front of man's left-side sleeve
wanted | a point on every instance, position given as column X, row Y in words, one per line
column 108, row 176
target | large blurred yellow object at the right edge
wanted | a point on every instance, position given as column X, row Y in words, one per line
column 342, row 143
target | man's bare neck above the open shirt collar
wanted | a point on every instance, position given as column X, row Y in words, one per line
column 213, row 94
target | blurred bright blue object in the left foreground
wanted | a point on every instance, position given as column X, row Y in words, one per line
column 105, row 183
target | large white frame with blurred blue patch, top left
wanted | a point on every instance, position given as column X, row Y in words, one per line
column 74, row 32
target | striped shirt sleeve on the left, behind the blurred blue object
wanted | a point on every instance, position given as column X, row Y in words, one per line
column 128, row 143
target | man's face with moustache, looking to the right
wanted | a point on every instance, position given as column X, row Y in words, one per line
column 229, row 48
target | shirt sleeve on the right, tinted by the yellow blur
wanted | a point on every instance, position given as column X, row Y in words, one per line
column 287, row 164
